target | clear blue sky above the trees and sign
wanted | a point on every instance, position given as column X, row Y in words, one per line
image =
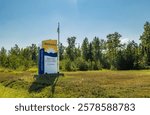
column 24, row 22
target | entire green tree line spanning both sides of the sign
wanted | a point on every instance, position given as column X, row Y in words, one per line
column 94, row 55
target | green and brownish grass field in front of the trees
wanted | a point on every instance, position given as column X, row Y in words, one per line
column 89, row 84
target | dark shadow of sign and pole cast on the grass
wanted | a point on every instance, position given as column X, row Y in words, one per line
column 42, row 82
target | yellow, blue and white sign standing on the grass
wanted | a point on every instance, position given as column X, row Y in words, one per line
column 48, row 61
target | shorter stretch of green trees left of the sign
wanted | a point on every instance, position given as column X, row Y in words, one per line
column 19, row 58
